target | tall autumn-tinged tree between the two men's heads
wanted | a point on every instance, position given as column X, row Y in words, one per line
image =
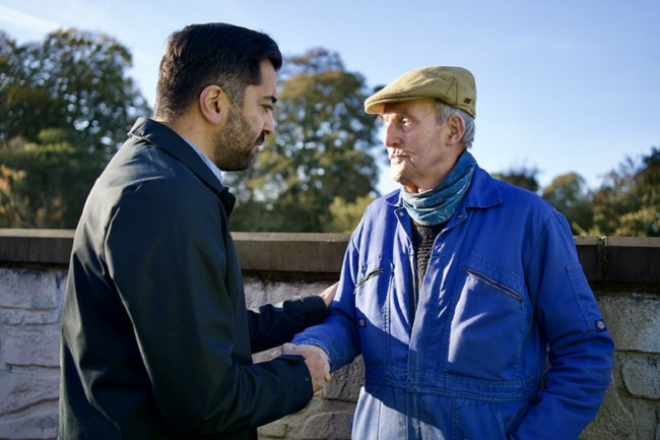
column 322, row 150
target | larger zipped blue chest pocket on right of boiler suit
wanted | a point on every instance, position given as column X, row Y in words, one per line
column 490, row 321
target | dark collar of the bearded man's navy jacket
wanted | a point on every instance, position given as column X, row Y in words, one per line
column 167, row 139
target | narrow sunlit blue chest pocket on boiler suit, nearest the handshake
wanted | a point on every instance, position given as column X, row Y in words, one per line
column 372, row 291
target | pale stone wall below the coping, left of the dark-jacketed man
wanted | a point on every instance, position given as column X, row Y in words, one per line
column 30, row 312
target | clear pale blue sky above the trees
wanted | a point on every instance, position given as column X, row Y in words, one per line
column 562, row 85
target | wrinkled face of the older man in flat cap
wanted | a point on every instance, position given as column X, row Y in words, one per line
column 416, row 144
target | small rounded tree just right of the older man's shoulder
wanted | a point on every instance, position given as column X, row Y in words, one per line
column 569, row 194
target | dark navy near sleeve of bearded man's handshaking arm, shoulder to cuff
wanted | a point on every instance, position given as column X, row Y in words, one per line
column 165, row 252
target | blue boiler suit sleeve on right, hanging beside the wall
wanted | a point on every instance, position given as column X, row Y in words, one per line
column 580, row 347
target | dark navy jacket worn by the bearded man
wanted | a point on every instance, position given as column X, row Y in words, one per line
column 157, row 342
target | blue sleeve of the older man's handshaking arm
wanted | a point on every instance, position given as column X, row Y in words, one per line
column 337, row 335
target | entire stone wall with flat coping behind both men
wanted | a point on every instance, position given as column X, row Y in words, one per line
column 623, row 272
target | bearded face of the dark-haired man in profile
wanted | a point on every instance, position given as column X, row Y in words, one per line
column 240, row 139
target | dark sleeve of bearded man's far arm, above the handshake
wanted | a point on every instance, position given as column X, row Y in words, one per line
column 272, row 325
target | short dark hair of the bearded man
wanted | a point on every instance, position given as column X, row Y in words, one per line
column 212, row 53
